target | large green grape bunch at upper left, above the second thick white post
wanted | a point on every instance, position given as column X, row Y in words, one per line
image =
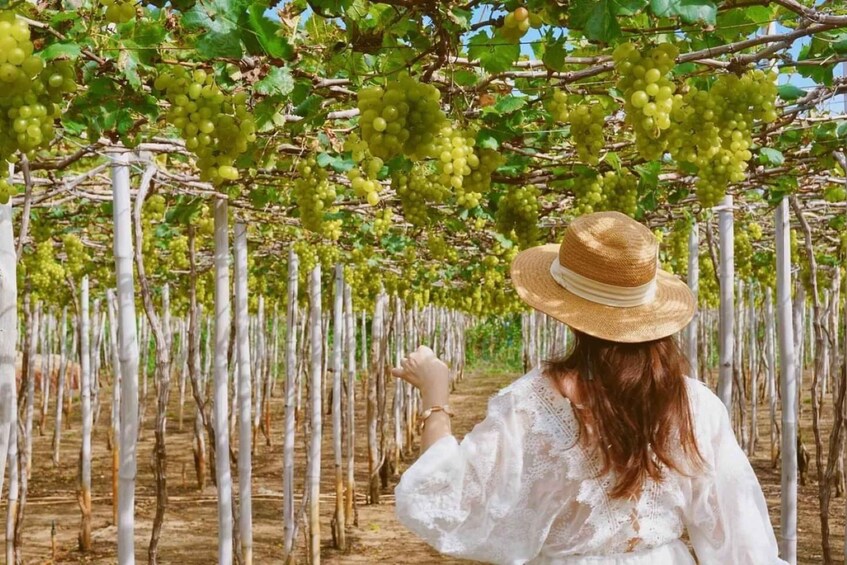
column 216, row 126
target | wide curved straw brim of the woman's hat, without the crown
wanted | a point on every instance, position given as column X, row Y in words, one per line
column 670, row 311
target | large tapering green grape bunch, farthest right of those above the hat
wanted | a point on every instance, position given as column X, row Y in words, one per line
column 714, row 129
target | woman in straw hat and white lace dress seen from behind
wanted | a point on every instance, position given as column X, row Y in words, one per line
column 606, row 455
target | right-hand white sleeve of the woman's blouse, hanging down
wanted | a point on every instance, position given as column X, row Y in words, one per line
column 727, row 518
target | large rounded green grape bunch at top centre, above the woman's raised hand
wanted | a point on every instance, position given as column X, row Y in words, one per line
column 402, row 118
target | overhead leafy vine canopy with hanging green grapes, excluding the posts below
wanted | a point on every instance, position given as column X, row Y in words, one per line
column 280, row 94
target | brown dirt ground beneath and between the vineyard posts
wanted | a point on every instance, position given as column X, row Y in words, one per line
column 190, row 530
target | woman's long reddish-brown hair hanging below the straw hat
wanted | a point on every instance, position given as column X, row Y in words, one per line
column 634, row 397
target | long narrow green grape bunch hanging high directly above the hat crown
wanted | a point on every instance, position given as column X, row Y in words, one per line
column 648, row 93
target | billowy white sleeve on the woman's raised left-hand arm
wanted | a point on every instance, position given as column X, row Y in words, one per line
column 464, row 498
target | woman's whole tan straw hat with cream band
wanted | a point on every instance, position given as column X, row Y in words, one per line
column 604, row 280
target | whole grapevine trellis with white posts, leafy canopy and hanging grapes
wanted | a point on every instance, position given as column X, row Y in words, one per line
column 381, row 164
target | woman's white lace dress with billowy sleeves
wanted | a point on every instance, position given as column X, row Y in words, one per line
column 519, row 489
